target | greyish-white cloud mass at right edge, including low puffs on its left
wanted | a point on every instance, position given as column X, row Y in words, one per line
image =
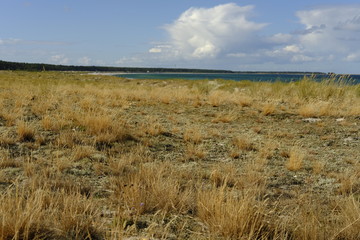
column 330, row 33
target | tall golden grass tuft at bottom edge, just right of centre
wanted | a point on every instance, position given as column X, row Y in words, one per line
column 233, row 215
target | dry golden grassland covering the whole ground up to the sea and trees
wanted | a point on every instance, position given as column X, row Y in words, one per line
column 99, row 157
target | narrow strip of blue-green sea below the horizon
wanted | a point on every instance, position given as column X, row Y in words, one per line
column 257, row 77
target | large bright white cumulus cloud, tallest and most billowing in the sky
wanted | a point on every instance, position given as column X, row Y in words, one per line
column 209, row 32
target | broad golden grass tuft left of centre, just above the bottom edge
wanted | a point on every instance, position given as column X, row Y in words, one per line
column 153, row 187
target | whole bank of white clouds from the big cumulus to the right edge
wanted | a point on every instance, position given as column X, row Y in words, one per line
column 226, row 34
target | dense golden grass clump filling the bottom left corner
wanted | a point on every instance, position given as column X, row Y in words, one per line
column 40, row 213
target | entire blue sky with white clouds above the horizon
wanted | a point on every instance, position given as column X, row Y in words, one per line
column 249, row 35
